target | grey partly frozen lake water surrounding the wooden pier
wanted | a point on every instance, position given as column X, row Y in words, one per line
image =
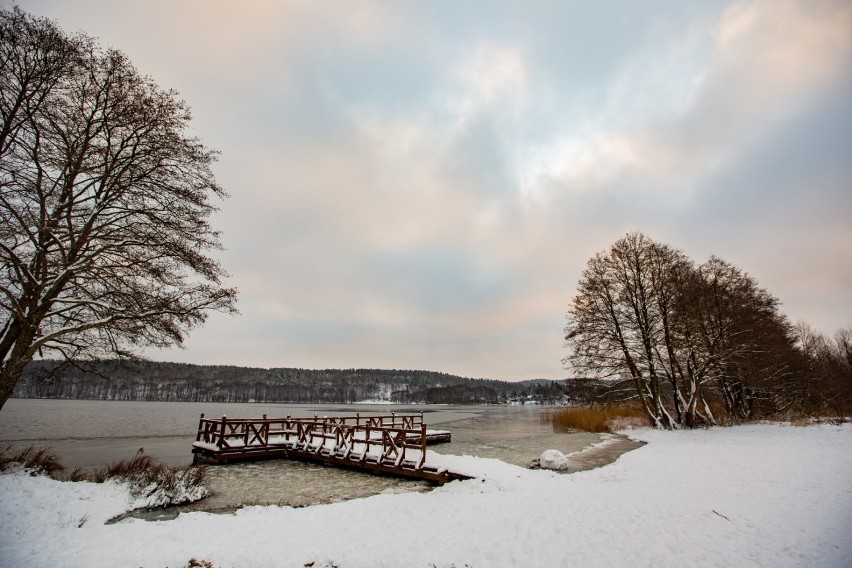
column 89, row 434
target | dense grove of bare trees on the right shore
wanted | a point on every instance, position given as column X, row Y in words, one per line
column 689, row 341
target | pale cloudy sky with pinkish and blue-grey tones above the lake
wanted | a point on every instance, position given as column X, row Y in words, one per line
column 419, row 185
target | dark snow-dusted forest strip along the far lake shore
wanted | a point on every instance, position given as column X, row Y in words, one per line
column 154, row 381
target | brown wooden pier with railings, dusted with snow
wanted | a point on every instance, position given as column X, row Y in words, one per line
column 393, row 444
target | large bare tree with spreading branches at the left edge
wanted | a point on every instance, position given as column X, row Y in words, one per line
column 105, row 204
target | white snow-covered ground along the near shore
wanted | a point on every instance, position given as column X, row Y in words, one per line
column 761, row 495
